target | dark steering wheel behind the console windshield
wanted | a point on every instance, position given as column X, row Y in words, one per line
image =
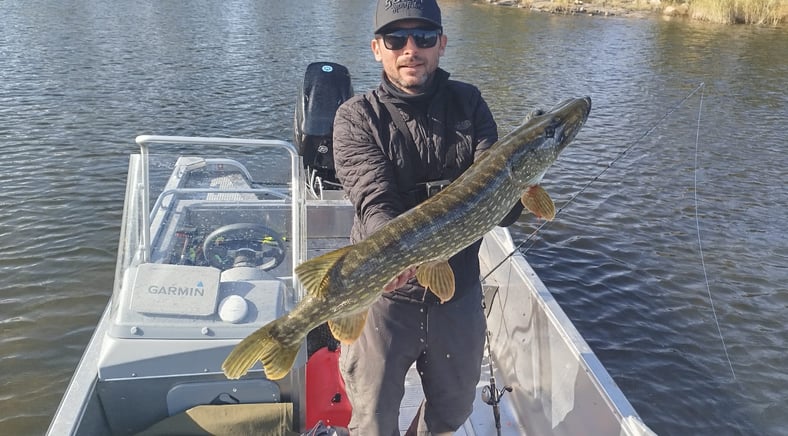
column 244, row 244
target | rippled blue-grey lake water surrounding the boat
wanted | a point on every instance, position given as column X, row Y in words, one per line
column 697, row 345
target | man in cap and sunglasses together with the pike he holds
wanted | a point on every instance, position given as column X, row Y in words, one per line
column 411, row 158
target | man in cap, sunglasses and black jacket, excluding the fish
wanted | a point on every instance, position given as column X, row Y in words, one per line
column 394, row 146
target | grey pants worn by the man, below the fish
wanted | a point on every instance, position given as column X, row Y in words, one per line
column 445, row 340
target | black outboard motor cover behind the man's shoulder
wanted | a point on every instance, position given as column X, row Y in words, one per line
column 326, row 87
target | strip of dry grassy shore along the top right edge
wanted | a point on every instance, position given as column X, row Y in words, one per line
column 760, row 12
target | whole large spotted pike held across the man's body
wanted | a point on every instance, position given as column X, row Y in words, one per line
column 342, row 284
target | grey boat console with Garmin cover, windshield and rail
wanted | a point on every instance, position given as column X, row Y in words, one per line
column 209, row 264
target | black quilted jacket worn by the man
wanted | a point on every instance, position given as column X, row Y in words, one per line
column 383, row 172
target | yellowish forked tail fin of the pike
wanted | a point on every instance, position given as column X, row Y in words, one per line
column 277, row 358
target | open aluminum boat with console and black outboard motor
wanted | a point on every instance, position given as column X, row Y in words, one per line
column 212, row 229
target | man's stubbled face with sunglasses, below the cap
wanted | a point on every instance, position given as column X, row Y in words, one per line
column 410, row 68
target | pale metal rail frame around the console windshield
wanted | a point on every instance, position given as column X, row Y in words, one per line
column 138, row 242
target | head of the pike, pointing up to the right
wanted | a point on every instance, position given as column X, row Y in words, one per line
column 540, row 139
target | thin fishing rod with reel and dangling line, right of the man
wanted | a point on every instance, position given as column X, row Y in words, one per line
column 490, row 394
